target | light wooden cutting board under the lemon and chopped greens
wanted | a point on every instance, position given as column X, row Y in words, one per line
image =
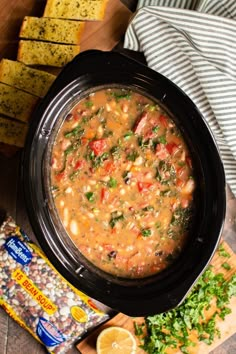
column 226, row 327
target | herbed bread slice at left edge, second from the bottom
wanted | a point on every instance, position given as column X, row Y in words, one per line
column 16, row 103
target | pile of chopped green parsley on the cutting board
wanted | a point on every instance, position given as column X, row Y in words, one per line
column 171, row 329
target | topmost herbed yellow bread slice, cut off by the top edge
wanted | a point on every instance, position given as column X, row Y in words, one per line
column 76, row 9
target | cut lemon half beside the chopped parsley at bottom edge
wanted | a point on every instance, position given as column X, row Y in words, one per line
column 116, row 340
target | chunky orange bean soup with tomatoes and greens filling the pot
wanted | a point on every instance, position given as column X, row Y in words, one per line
column 123, row 183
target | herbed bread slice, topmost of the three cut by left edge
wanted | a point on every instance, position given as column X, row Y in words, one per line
column 27, row 79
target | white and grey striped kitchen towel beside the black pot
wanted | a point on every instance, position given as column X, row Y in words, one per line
column 193, row 43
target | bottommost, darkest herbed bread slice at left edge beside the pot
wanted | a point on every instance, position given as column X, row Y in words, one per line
column 12, row 133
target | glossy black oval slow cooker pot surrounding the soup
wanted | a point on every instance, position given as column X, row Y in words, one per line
column 88, row 72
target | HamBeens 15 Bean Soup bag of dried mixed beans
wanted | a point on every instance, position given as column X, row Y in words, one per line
column 38, row 297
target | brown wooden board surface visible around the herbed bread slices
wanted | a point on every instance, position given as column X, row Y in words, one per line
column 103, row 35
